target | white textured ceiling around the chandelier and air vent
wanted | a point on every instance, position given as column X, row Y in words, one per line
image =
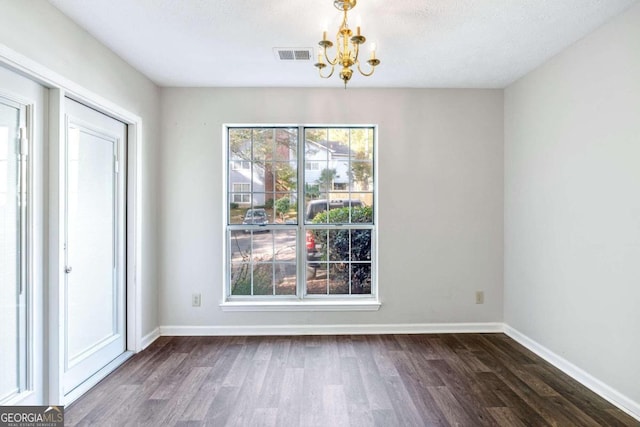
column 421, row 43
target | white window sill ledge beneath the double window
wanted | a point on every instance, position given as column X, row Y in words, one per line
column 368, row 305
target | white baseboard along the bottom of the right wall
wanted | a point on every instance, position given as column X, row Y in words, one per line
column 606, row 392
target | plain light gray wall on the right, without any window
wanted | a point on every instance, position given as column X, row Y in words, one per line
column 572, row 204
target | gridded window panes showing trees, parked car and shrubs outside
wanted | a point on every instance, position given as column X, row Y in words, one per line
column 329, row 252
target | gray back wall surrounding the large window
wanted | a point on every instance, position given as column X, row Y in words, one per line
column 440, row 199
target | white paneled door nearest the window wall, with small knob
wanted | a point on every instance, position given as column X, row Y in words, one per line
column 94, row 288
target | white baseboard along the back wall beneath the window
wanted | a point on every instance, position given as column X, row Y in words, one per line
column 418, row 328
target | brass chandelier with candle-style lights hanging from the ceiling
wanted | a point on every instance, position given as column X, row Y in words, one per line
column 347, row 48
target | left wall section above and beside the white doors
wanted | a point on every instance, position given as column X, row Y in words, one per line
column 41, row 33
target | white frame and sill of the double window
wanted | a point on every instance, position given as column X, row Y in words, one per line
column 300, row 301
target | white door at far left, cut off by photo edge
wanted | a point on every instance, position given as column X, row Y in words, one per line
column 22, row 103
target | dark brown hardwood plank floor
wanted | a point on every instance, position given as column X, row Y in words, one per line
column 382, row 380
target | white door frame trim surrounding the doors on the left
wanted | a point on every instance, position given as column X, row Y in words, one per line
column 53, row 268
